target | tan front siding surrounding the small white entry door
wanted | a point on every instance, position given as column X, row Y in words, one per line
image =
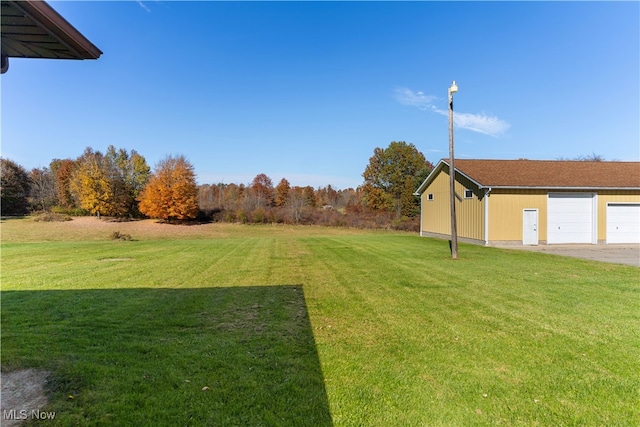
column 506, row 209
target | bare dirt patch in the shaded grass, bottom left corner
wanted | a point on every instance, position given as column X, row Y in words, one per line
column 22, row 391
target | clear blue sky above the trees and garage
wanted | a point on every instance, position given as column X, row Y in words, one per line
column 307, row 90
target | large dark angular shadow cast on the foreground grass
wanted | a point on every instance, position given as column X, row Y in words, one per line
column 210, row 356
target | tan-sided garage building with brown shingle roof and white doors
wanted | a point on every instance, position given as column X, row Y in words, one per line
column 535, row 202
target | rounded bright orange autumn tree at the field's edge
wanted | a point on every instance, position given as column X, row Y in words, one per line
column 171, row 193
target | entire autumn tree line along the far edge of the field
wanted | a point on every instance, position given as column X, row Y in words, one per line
column 120, row 184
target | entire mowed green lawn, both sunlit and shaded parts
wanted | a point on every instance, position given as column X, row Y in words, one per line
column 317, row 326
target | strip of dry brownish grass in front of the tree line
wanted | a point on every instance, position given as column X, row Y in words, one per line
column 94, row 229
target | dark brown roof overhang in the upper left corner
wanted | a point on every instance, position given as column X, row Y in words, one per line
column 33, row 29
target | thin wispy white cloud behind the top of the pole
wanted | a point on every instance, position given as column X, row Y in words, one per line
column 481, row 123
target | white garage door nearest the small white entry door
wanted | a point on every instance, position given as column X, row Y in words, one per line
column 570, row 218
